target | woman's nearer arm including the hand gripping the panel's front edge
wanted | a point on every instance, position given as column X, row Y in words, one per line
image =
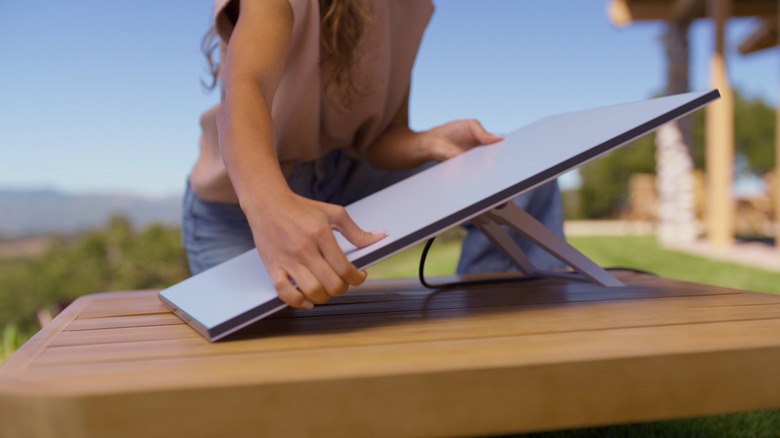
column 293, row 234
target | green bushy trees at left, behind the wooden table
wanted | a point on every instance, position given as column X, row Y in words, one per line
column 115, row 258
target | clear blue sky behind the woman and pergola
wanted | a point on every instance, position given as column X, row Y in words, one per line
column 105, row 96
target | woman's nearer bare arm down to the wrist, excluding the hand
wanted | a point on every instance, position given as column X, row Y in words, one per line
column 257, row 52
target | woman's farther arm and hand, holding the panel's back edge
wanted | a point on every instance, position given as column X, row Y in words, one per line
column 400, row 148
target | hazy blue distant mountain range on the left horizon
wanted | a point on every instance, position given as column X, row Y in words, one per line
column 33, row 212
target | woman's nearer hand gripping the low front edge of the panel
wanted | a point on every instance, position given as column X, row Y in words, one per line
column 294, row 237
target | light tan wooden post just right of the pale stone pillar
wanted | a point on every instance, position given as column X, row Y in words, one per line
column 720, row 137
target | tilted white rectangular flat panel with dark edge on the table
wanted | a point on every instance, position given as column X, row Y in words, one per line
column 238, row 292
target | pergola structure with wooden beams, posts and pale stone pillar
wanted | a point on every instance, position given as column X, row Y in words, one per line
column 673, row 186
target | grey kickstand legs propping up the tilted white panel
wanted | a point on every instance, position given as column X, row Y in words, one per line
column 533, row 230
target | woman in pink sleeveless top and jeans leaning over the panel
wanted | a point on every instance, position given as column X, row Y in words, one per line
column 313, row 116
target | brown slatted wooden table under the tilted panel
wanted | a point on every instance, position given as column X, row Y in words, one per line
column 392, row 359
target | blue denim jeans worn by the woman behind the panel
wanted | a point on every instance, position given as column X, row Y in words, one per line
column 213, row 232
